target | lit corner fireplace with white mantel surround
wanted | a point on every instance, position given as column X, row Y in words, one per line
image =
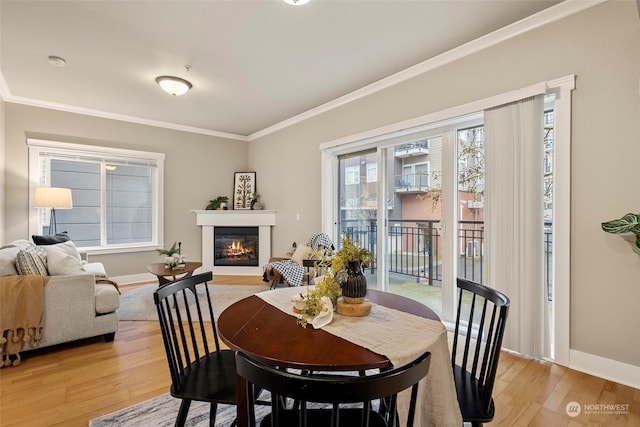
column 236, row 222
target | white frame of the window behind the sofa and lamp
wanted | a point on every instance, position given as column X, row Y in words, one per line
column 40, row 147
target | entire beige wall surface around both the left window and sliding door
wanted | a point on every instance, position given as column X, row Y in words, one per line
column 601, row 46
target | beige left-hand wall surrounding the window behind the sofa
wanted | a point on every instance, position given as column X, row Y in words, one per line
column 197, row 168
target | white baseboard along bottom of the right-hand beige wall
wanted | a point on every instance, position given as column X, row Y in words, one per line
column 608, row 369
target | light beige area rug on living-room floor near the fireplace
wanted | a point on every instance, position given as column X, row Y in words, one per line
column 137, row 303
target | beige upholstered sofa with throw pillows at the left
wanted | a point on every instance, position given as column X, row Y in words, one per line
column 75, row 306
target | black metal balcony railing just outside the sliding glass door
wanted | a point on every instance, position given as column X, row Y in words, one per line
column 415, row 248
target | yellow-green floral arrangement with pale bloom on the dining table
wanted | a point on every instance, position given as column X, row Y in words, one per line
column 336, row 266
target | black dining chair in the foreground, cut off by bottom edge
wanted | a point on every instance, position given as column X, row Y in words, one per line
column 333, row 390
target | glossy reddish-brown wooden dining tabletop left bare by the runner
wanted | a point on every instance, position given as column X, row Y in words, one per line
column 266, row 333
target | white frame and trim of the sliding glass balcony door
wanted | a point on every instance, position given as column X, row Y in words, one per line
column 384, row 136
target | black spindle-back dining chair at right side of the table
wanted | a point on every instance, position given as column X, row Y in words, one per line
column 477, row 340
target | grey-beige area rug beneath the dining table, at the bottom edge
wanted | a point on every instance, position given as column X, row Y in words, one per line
column 161, row 411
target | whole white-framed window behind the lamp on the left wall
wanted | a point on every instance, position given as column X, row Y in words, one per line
column 116, row 193
